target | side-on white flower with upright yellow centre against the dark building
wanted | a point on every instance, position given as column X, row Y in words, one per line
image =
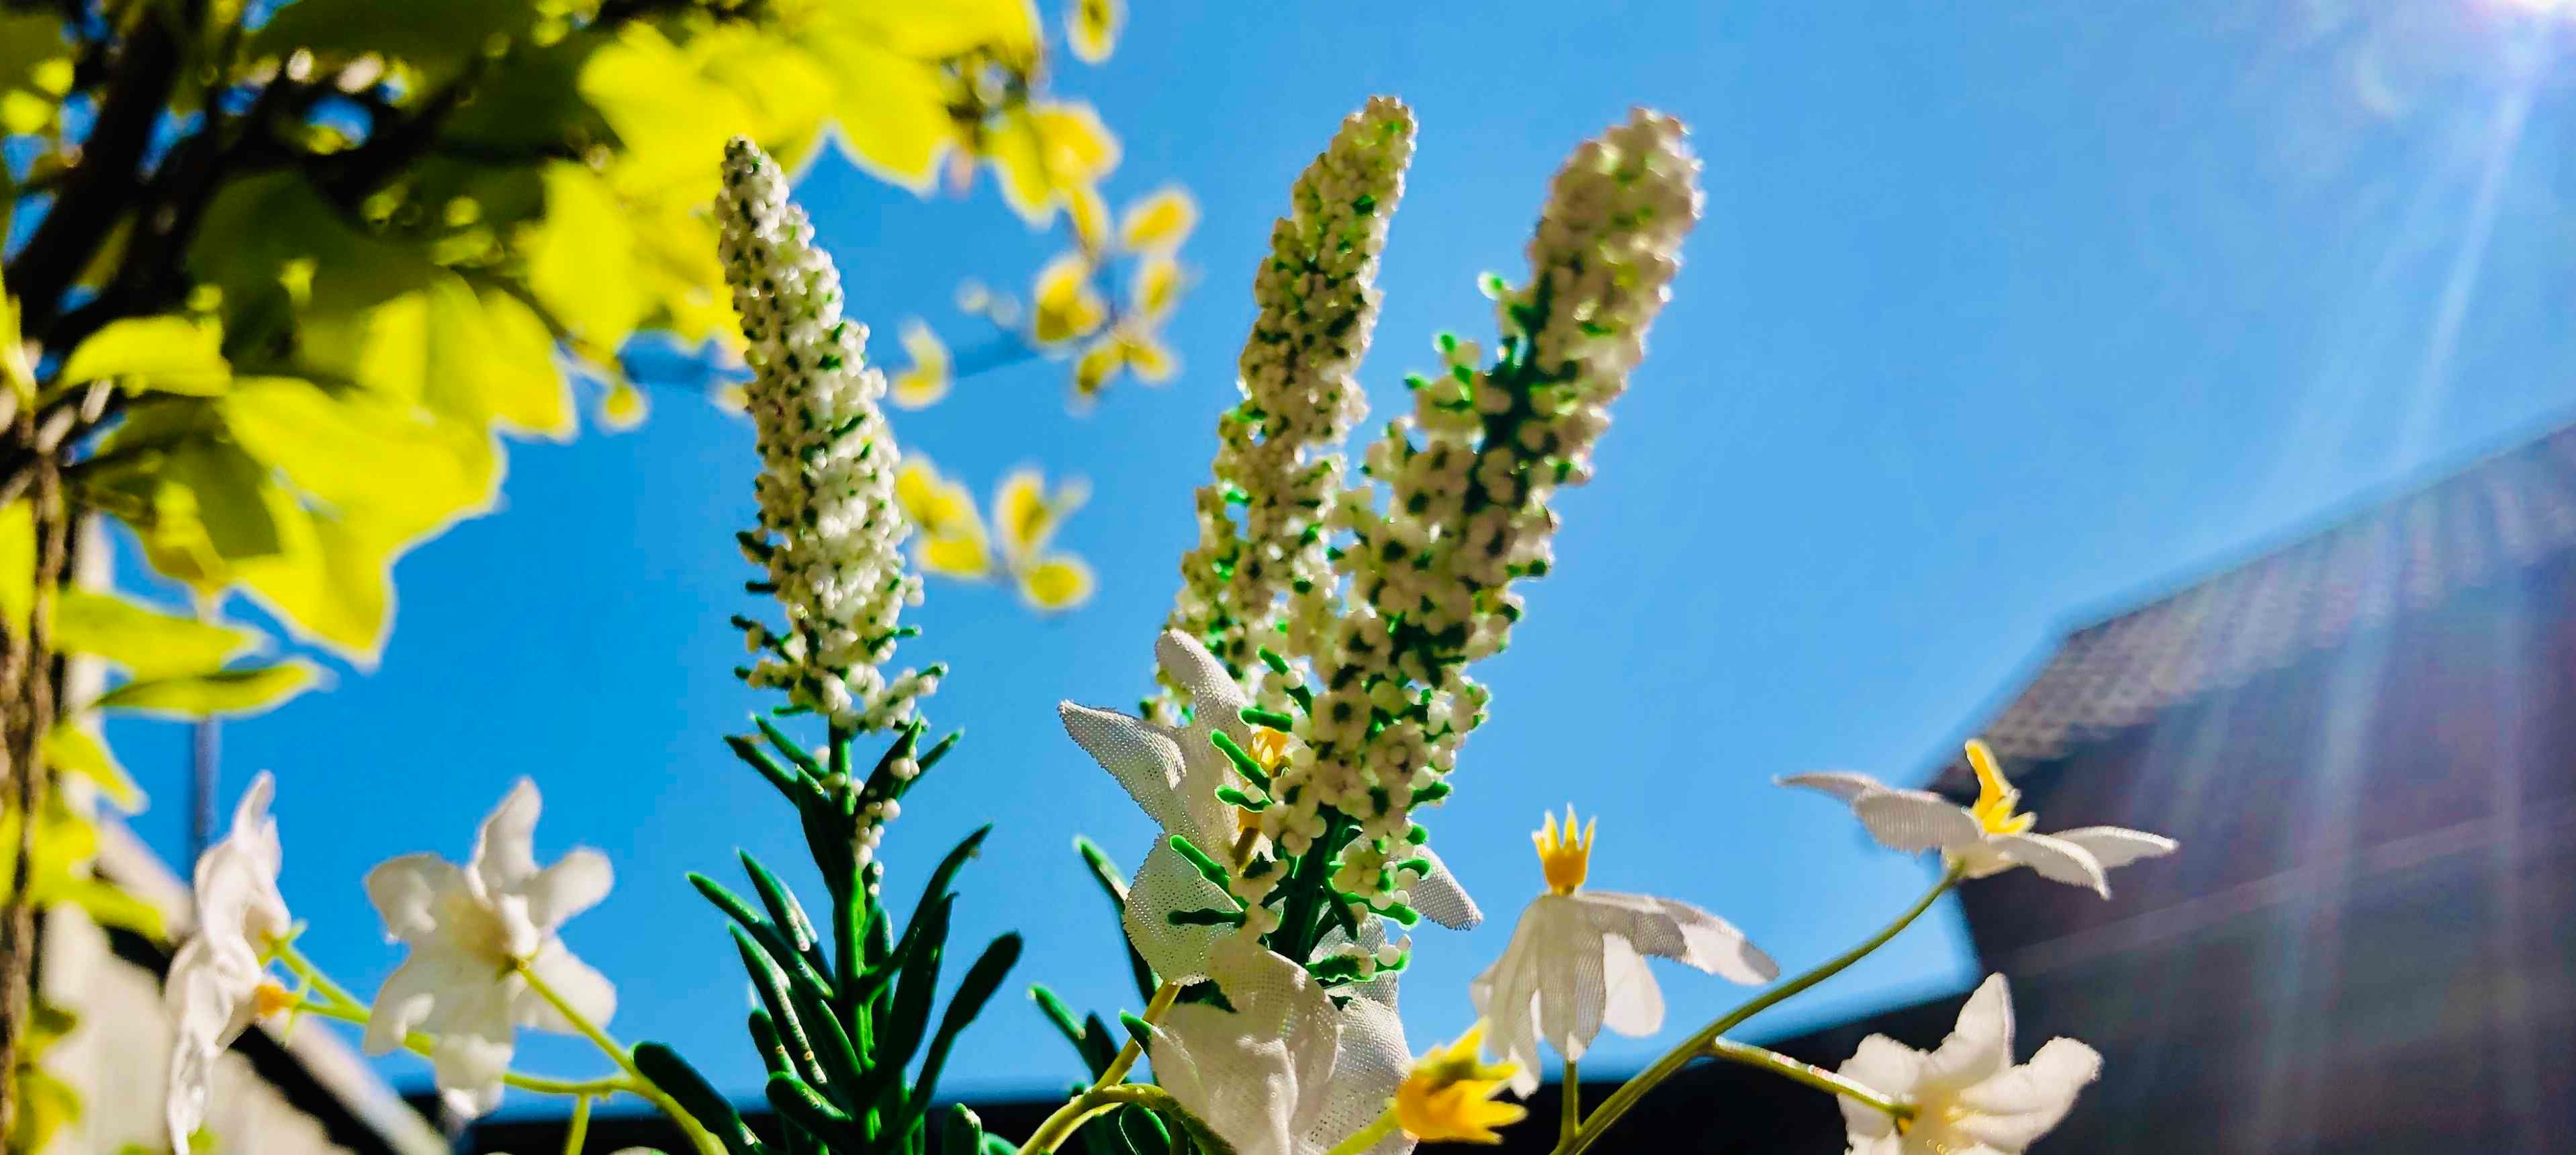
column 1987, row 837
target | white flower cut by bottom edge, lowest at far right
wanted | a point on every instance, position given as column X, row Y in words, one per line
column 1969, row 1097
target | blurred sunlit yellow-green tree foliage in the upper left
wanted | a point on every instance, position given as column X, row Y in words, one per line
column 292, row 275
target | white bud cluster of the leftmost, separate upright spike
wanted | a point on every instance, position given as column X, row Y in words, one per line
column 831, row 532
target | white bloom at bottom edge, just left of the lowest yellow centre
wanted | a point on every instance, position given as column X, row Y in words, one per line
column 1284, row 1074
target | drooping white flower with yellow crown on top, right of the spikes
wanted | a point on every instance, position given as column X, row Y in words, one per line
column 1578, row 960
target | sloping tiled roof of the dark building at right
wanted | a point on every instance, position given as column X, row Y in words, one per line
column 2410, row 553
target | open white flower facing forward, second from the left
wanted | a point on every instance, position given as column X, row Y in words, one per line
column 478, row 932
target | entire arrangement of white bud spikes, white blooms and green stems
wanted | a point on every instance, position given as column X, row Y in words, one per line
column 1307, row 710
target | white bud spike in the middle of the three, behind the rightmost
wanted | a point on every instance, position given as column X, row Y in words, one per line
column 1261, row 522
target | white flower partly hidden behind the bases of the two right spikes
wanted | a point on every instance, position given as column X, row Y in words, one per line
column 1173, row 775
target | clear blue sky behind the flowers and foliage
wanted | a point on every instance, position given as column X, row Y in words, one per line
column 2000, row 316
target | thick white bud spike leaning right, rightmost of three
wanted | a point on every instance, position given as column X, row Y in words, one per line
column 1470, row 478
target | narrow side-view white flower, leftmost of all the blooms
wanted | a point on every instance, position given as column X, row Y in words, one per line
column 218, row 981
